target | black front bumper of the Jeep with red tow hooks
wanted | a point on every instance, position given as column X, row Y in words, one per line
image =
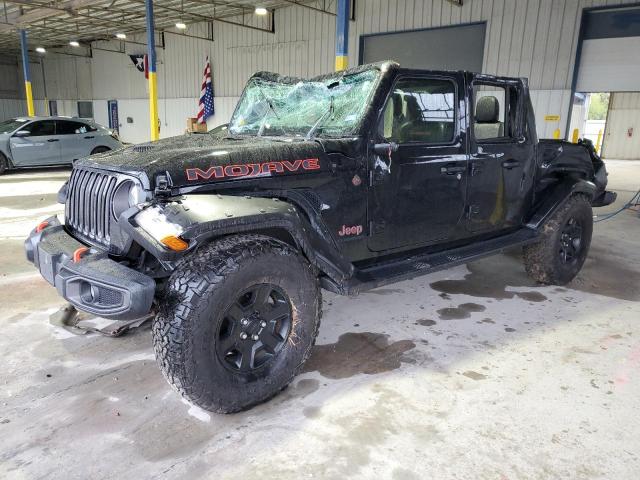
column 93, row 282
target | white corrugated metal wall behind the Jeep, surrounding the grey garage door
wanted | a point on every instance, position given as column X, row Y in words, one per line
column 531, row 38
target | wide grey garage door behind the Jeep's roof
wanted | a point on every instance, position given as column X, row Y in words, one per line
column 459, row 47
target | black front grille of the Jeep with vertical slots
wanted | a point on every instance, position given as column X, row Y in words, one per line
column 88, row 207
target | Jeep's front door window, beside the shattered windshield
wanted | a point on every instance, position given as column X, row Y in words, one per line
column 420, row 110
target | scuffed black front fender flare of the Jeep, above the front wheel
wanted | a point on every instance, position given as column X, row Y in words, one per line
column 205, row 217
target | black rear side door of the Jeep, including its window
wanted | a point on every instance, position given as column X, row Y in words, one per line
column 502, row 155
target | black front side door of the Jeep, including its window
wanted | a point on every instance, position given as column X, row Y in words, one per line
column 418, row 187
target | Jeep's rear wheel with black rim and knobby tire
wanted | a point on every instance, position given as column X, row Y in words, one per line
column 559, row 255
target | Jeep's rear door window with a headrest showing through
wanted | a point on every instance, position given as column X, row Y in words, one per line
column 495, row 109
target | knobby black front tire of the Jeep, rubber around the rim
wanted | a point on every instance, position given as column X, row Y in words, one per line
column 195, row 299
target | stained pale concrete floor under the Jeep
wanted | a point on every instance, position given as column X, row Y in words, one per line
column 473, row 372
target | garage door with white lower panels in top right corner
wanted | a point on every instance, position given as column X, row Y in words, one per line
column 610, row 57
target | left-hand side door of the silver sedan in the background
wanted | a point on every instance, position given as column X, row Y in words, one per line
column 39, row 147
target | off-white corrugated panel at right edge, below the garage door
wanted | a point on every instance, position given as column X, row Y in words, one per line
column 624, row 114
